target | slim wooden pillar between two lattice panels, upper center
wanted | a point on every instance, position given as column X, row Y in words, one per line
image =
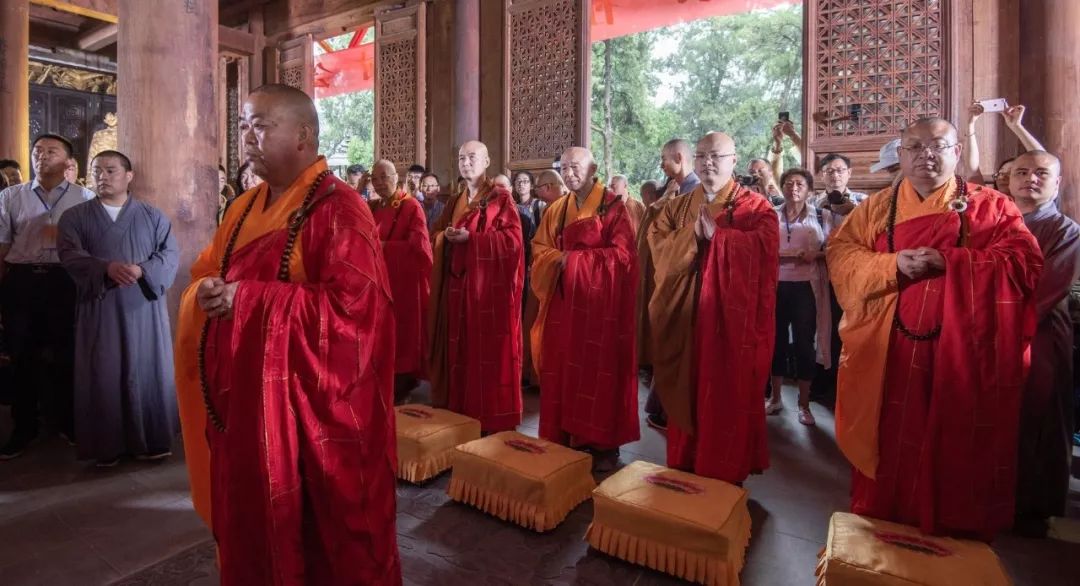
column 466, row 72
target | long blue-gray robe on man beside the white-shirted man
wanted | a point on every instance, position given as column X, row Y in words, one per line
column 125, row 390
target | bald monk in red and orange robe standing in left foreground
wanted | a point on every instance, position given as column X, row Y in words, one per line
column 285, row 367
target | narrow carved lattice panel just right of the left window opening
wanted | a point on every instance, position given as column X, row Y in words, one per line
column 400, row 102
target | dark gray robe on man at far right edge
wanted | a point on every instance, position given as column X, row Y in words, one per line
column 1046, row 435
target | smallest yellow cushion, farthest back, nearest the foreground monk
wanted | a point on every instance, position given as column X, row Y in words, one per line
column 427, row 438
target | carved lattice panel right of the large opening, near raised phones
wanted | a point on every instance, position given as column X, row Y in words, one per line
column 873, row 66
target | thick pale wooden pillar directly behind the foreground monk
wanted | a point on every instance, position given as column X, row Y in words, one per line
column 169, row 122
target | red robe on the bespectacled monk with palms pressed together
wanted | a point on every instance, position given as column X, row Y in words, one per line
column 734, row 335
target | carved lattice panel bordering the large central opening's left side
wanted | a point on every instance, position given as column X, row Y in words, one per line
column 547, row 80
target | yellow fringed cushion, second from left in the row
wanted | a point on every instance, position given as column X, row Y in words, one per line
column 522, row 480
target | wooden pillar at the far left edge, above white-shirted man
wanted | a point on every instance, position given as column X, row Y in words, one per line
column 15, row 83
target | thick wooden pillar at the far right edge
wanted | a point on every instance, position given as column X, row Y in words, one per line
column 1049, row 86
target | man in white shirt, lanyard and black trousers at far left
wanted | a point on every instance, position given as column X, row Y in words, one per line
column 38, row 296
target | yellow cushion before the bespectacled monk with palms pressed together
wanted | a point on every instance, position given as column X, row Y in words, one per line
column 673, row 522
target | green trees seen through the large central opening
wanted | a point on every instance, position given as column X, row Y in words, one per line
column 731, row 74
